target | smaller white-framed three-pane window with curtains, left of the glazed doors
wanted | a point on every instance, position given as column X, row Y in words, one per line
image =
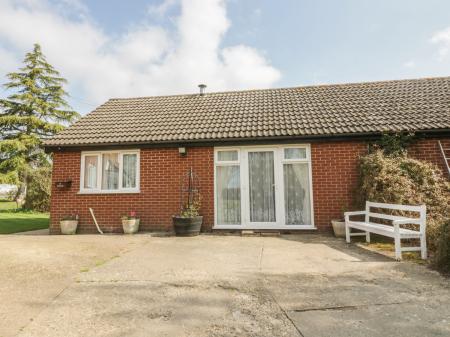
column 110, row 171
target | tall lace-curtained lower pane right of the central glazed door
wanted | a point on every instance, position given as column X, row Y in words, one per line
column 296, row 194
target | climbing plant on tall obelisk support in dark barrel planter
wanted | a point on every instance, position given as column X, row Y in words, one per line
column 189, row 221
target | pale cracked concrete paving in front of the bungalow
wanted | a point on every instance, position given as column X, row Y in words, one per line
column 213, row 286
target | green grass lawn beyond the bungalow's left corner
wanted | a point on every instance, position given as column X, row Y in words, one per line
column 14, row 220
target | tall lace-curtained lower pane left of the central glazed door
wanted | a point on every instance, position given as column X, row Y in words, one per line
column 228, row 195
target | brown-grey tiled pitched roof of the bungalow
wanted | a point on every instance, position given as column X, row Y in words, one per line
column 342, row 109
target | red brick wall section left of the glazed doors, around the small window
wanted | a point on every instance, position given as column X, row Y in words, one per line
column 161, row 171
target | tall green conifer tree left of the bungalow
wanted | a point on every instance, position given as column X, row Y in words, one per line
column 35, row 111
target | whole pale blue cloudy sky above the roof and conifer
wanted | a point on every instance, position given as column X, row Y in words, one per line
column 112, row 48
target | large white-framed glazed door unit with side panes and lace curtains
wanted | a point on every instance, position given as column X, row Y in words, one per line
column 263, row 187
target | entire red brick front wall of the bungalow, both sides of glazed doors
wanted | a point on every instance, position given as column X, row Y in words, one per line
column 334, row 170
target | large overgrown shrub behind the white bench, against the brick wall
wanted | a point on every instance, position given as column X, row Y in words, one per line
column 398, row 179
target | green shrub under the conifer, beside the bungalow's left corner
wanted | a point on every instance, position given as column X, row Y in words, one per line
column 38, row 189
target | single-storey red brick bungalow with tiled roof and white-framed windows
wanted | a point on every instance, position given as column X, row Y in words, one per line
column 281, row 159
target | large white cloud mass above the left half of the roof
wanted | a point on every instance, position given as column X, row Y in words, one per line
column 145, row 60
